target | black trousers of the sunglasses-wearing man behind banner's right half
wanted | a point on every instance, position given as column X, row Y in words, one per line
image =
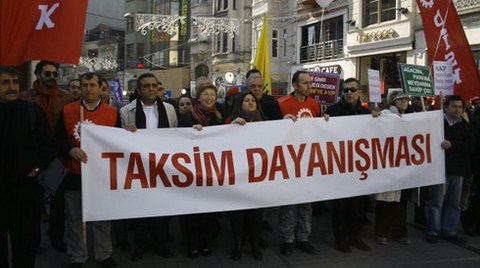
column 347, row 218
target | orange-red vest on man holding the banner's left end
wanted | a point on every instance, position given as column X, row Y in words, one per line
column 104, row 115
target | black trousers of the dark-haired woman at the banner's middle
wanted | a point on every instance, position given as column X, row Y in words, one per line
column 246, row 223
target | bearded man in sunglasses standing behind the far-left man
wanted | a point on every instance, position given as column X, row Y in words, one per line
column 51, row 99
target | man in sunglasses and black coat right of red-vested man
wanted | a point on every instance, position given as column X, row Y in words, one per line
column 348, row 214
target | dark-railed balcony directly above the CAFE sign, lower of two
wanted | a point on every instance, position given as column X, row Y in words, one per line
column 321, row 51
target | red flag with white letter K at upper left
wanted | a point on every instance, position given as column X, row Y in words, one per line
column 41, row 30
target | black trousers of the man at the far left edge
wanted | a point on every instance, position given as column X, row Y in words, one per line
column 22, row 205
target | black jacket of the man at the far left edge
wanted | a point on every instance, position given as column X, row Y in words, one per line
column 26, row 139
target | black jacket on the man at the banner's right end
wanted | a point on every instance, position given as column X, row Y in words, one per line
column 457, row 157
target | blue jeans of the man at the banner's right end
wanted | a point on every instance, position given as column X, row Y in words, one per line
column 444, row 207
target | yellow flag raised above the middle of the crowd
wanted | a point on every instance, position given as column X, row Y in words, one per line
column 262, row 57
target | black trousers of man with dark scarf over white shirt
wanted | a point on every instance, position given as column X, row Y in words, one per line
column 150, row 232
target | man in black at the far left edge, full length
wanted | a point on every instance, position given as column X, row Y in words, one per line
column 25, row 148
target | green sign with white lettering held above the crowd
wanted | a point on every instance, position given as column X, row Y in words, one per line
column 417, row 80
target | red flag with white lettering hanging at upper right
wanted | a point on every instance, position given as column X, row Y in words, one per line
column 446, row 41
